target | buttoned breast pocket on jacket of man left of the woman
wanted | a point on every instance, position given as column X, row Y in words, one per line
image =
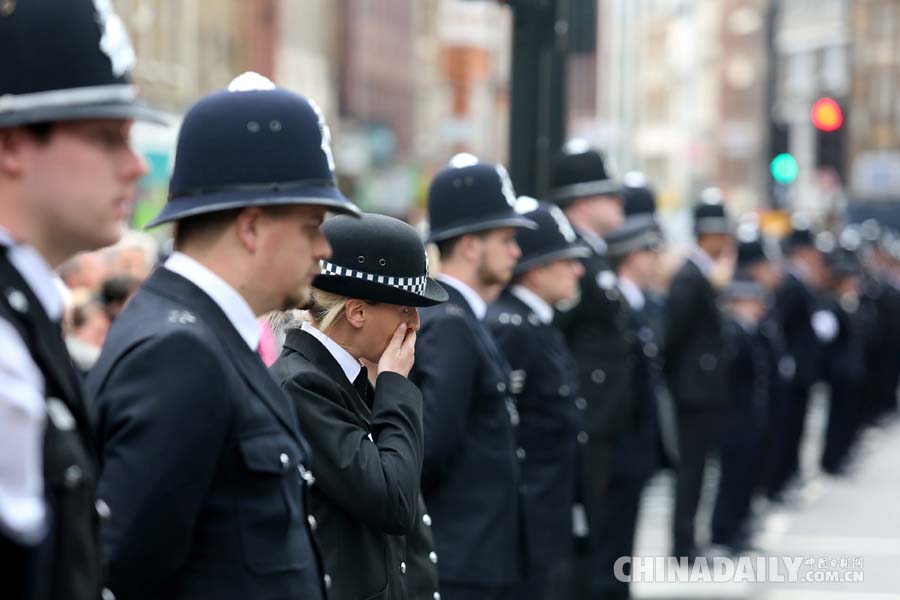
column 273, row 512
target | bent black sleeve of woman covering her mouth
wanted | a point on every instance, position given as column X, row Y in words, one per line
column 376, row 480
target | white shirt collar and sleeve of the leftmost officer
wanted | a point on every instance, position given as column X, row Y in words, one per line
column 23, row 407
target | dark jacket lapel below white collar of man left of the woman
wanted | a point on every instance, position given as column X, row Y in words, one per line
column 247, row 362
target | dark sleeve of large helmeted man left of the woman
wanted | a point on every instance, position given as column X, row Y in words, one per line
column 162, row 426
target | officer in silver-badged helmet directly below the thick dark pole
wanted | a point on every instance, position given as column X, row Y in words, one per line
column 521, row 320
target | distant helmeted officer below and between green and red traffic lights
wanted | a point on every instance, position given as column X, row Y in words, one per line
column 795, row 301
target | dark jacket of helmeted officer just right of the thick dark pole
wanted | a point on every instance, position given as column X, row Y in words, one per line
column 600, row 339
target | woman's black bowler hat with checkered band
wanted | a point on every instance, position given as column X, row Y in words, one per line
column 377, row 258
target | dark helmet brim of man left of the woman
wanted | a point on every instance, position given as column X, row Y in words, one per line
column 189, row 206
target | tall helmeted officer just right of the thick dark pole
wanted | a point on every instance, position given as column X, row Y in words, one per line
column 597, row 332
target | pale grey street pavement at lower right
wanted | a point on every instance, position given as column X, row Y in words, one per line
column 832, row 527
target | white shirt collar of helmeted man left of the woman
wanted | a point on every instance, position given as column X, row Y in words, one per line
column 229, row 300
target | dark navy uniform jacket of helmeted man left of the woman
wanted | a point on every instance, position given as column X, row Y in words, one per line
column 202, row 460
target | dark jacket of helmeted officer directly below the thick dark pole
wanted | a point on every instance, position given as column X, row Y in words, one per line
column 548, row 423
